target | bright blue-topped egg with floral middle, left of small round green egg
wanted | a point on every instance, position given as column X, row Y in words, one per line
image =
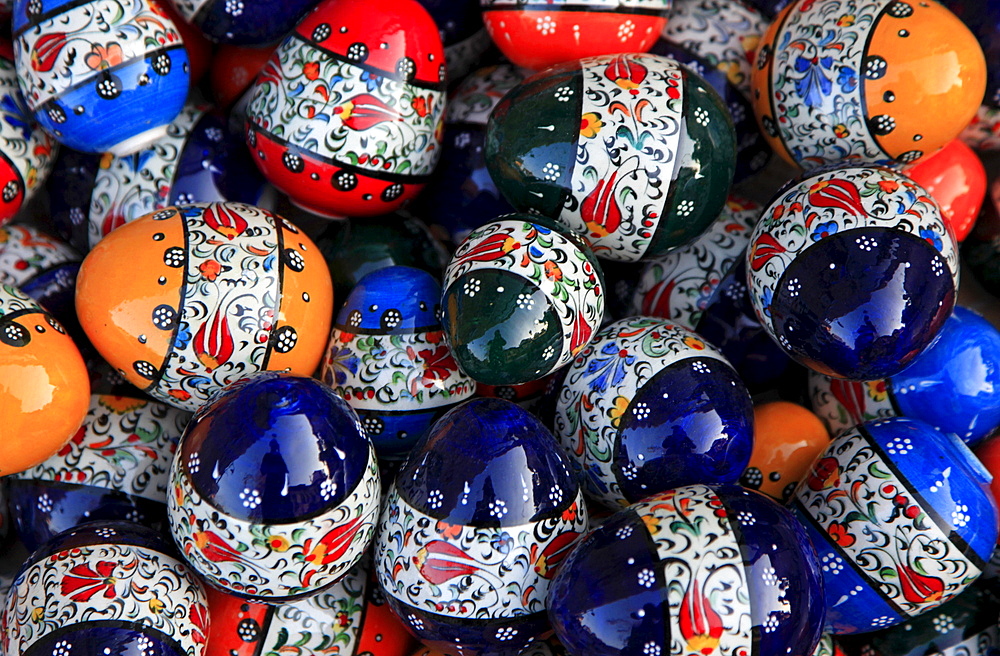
column 388, row 359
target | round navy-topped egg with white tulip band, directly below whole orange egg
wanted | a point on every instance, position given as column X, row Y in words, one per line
column 275, row 489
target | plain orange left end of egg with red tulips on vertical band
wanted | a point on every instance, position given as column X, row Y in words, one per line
column 119, row 287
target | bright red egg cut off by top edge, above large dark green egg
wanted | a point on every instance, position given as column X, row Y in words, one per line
column 540, row 35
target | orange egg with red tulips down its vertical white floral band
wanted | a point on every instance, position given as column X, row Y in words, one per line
column 191, row 298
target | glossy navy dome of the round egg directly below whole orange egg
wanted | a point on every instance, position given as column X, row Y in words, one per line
column 283, row 436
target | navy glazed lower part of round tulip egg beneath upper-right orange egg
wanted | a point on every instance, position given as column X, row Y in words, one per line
column 864, row 313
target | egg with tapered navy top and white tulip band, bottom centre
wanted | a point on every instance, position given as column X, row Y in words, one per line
column 474, row 528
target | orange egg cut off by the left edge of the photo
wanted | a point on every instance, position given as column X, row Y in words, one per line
column 44, row 387
